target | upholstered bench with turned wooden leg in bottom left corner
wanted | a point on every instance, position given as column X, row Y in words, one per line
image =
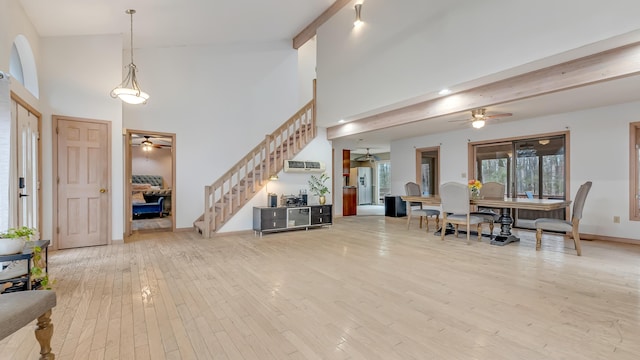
column 20, row 308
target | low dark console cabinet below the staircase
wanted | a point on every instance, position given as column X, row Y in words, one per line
column 271, row 219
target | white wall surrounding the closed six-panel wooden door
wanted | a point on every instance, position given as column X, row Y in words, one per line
column 75, row 80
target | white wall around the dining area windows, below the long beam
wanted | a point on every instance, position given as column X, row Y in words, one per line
column 599, row 151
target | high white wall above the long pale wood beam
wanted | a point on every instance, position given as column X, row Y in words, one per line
column 409, row 48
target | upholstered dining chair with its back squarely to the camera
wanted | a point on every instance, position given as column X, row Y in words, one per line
column 454, row 198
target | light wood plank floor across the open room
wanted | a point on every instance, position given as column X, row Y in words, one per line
column 366, row 288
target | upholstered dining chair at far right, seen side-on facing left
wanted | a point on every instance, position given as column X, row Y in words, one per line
column 563, row 225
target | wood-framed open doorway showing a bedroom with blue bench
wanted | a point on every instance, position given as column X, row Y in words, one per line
column 150, row 180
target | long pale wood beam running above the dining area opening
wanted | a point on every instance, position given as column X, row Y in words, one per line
column 608, row 65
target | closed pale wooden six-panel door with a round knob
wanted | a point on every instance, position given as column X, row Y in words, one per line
column 83, row 182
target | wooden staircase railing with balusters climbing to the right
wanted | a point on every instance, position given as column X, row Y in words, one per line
column 227, row 195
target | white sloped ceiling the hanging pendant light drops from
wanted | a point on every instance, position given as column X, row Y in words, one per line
column 169, row 23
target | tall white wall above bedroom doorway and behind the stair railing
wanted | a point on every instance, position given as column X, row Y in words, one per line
column 220, row 102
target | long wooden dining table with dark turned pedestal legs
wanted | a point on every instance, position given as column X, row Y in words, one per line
column 505, row 204
